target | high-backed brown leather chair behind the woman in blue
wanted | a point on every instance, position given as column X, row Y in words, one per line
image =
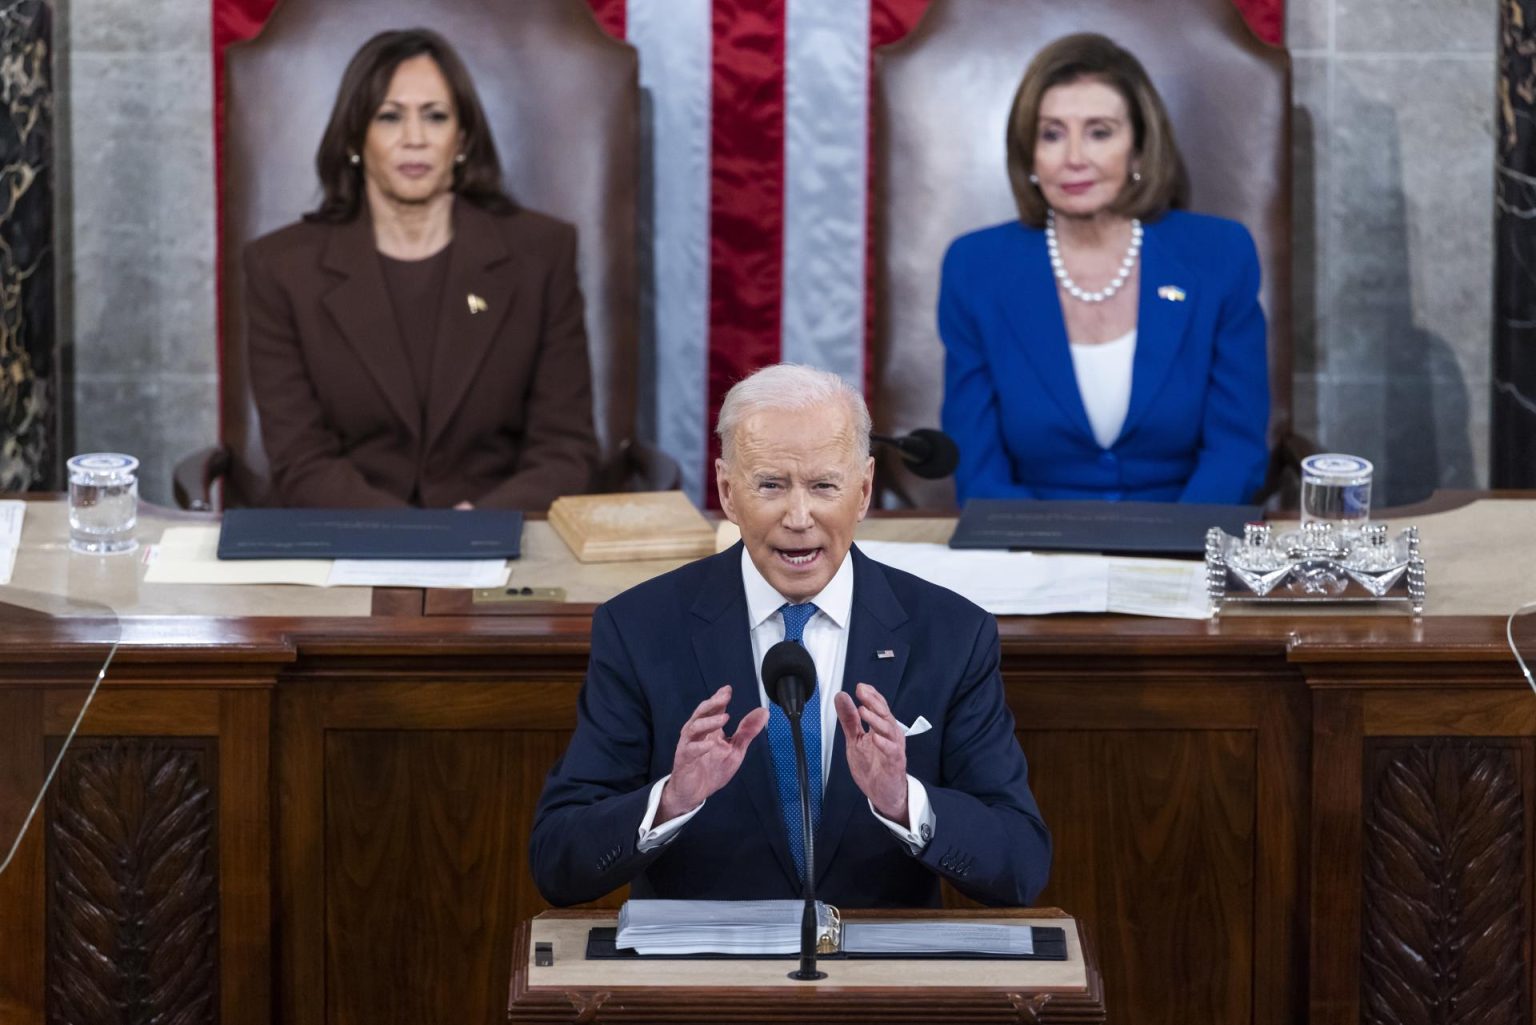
column 942, row 99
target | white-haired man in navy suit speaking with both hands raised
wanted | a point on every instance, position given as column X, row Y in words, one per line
column 909, row 729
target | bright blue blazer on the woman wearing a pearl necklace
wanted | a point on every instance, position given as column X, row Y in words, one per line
column 1200, row 382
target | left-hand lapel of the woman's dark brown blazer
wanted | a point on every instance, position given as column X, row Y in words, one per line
column 362, row 308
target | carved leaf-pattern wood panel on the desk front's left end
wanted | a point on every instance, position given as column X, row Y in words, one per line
column 133, row 884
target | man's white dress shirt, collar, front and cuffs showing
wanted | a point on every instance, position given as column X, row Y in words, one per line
column 827, row 642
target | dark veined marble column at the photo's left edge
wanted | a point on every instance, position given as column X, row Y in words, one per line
column 30, row 386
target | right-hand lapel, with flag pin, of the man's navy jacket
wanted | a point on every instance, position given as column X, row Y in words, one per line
column 876, row 628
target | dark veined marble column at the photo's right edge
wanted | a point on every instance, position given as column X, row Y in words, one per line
column 1514, row 442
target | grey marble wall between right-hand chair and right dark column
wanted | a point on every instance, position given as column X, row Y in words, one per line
column 1394, row 173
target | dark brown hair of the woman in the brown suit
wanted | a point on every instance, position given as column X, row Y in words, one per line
column 359, row 99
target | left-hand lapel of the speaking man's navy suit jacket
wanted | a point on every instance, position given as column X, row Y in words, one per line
column 724, row 649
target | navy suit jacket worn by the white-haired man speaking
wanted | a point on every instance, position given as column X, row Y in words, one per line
column 663, row 648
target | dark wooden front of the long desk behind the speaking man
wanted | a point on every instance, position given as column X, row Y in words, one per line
column 1262, row 820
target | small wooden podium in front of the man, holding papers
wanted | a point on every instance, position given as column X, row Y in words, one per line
column 749, row 992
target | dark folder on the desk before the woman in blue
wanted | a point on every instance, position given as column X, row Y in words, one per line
column 1116, row 528
